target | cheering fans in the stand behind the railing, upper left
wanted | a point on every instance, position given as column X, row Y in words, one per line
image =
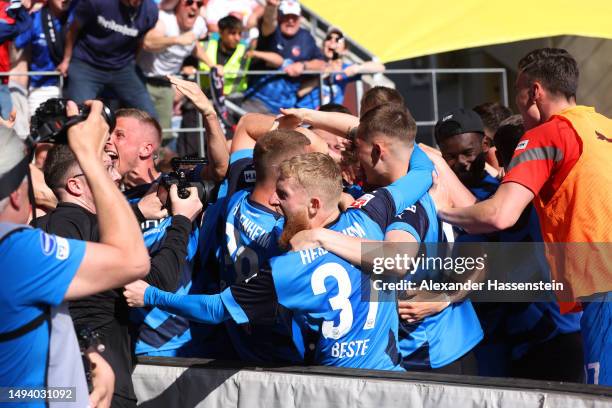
column 124, row 50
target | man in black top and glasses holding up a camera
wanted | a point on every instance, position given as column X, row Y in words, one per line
column 106, row 312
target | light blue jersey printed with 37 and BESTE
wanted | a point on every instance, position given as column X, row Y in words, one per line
column 324, row 292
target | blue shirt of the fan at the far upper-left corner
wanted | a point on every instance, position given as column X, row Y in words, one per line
column 40, row 57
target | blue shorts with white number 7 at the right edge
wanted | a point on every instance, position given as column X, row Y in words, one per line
column 596, row 327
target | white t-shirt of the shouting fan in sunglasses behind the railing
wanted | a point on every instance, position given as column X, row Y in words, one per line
column 169, row 61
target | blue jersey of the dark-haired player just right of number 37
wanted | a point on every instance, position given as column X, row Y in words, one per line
column 439, row 339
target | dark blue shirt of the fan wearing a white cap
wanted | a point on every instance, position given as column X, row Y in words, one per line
column 280, row 91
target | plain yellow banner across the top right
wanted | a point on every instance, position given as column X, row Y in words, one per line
column 394, row 30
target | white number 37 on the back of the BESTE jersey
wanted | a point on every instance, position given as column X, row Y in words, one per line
column 340, row 301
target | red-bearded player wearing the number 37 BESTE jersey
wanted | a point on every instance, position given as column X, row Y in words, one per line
column 308, row 191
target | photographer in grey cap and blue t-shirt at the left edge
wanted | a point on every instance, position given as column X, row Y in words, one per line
column 43, row 271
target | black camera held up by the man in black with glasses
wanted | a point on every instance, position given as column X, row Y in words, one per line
column 184, row 178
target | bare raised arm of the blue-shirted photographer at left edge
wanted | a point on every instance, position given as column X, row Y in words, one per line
column 121, row 255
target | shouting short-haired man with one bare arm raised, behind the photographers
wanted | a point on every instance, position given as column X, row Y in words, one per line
column 131, row 145
